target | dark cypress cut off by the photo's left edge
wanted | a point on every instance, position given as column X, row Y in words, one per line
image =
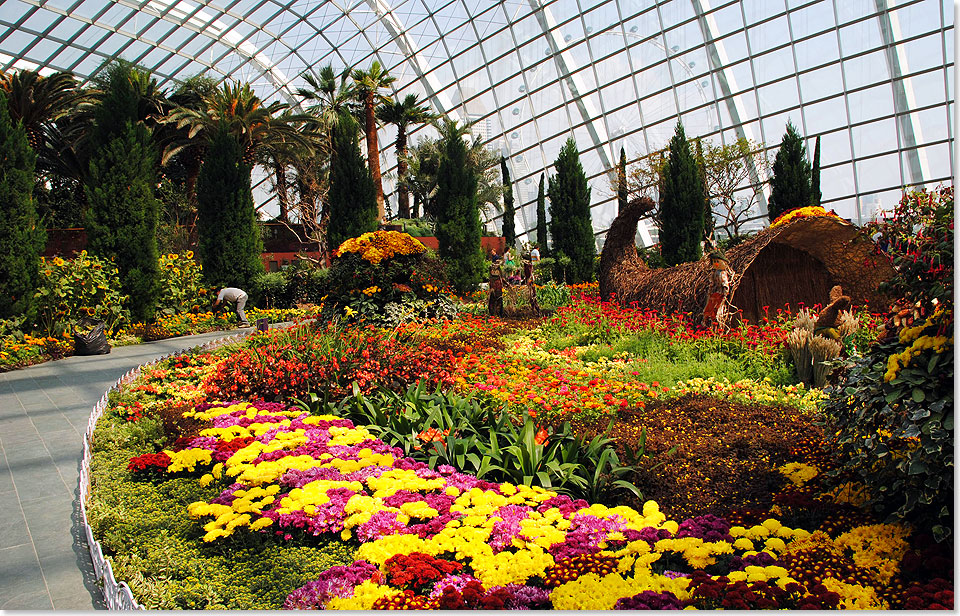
column 22, row 238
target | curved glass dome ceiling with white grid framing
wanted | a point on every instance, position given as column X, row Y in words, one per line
column 873, row 78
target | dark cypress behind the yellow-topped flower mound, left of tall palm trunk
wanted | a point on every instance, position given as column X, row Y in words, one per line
column 352, row 198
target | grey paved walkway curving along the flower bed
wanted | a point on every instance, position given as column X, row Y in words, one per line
column 44, row 410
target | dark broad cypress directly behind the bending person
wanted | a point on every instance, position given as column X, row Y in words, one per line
column 229, row 243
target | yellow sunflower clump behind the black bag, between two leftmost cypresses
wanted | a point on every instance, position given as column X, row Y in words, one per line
column 86, row 286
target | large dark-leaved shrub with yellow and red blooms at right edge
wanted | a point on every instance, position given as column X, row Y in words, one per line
column 892, row 414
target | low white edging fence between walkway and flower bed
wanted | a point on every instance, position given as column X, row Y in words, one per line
column 117, row 595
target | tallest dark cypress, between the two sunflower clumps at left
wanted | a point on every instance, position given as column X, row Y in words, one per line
column 121, row 220
